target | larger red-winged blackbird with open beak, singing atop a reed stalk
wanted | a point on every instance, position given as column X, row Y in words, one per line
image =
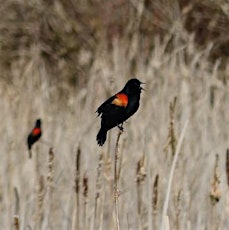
column 119, row 108
